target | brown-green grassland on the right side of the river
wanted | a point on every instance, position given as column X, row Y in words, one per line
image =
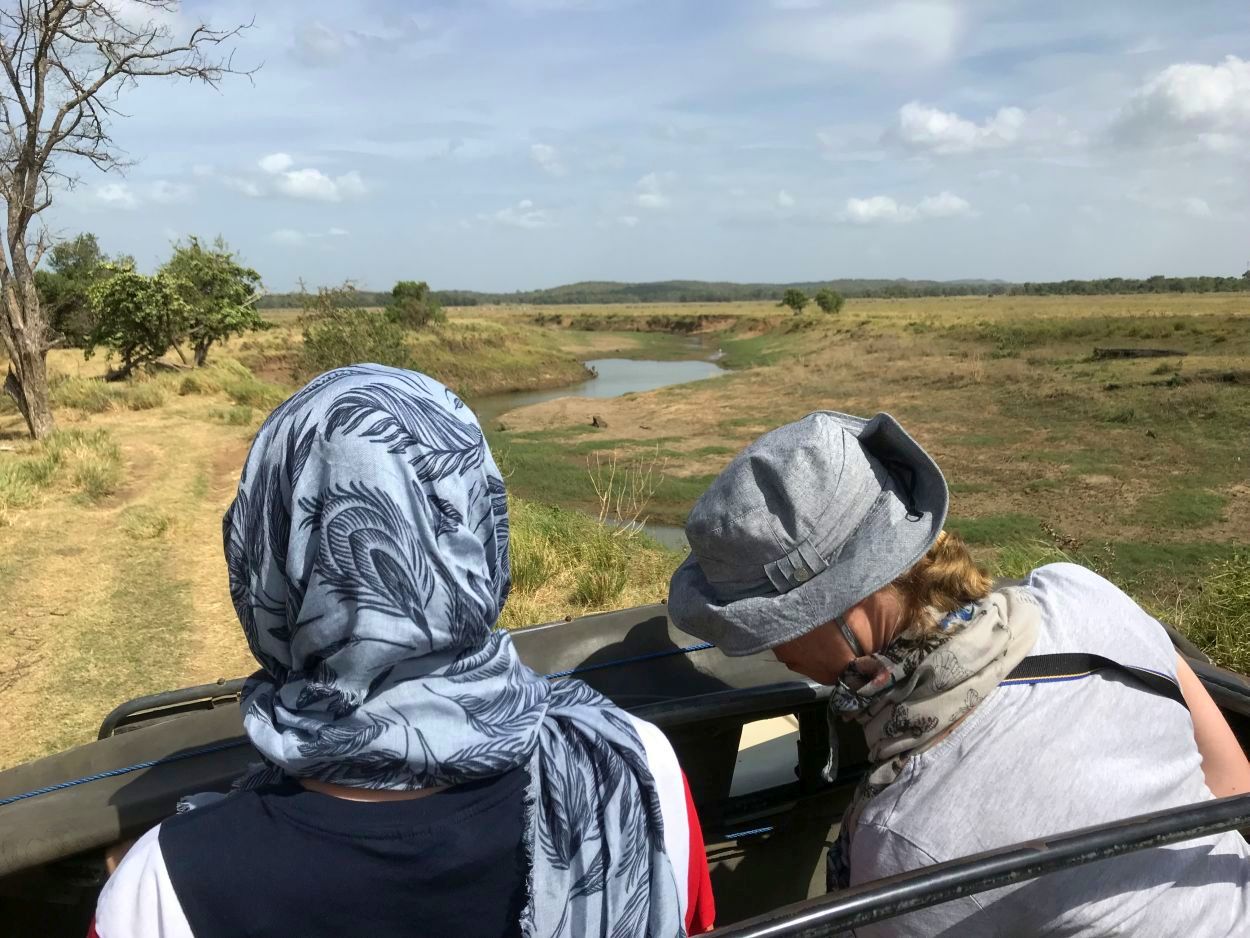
column 1138, row 467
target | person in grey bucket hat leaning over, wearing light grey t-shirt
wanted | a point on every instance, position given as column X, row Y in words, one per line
column 824, row 543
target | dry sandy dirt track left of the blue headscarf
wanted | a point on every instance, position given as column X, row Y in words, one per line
column 129, row 597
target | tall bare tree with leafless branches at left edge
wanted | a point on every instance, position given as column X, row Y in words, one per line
column 66, row 66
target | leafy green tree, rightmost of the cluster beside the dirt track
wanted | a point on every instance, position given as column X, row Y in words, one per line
column 219, row 292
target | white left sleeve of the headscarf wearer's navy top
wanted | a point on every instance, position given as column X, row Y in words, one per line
column 139, row 899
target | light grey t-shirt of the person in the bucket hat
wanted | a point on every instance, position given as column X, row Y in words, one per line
column 1042, row 760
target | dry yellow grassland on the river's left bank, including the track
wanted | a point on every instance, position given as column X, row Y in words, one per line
column 112, row 576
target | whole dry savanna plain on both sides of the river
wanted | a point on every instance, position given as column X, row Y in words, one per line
column 112, row 577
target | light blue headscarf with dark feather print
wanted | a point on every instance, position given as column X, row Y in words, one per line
column 368, row 556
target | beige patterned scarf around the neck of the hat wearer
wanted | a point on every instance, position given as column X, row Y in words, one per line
column 922, row 686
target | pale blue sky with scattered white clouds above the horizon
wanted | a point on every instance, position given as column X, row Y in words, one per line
column 516, row 144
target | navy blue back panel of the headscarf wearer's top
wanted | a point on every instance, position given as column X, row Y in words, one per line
column 296, row 864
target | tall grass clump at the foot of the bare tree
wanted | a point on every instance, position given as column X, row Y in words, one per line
column 87, row 462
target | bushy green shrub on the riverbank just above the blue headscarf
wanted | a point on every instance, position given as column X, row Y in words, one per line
column 338, row 332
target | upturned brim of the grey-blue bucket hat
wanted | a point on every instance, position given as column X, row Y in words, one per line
column 893, row 538
